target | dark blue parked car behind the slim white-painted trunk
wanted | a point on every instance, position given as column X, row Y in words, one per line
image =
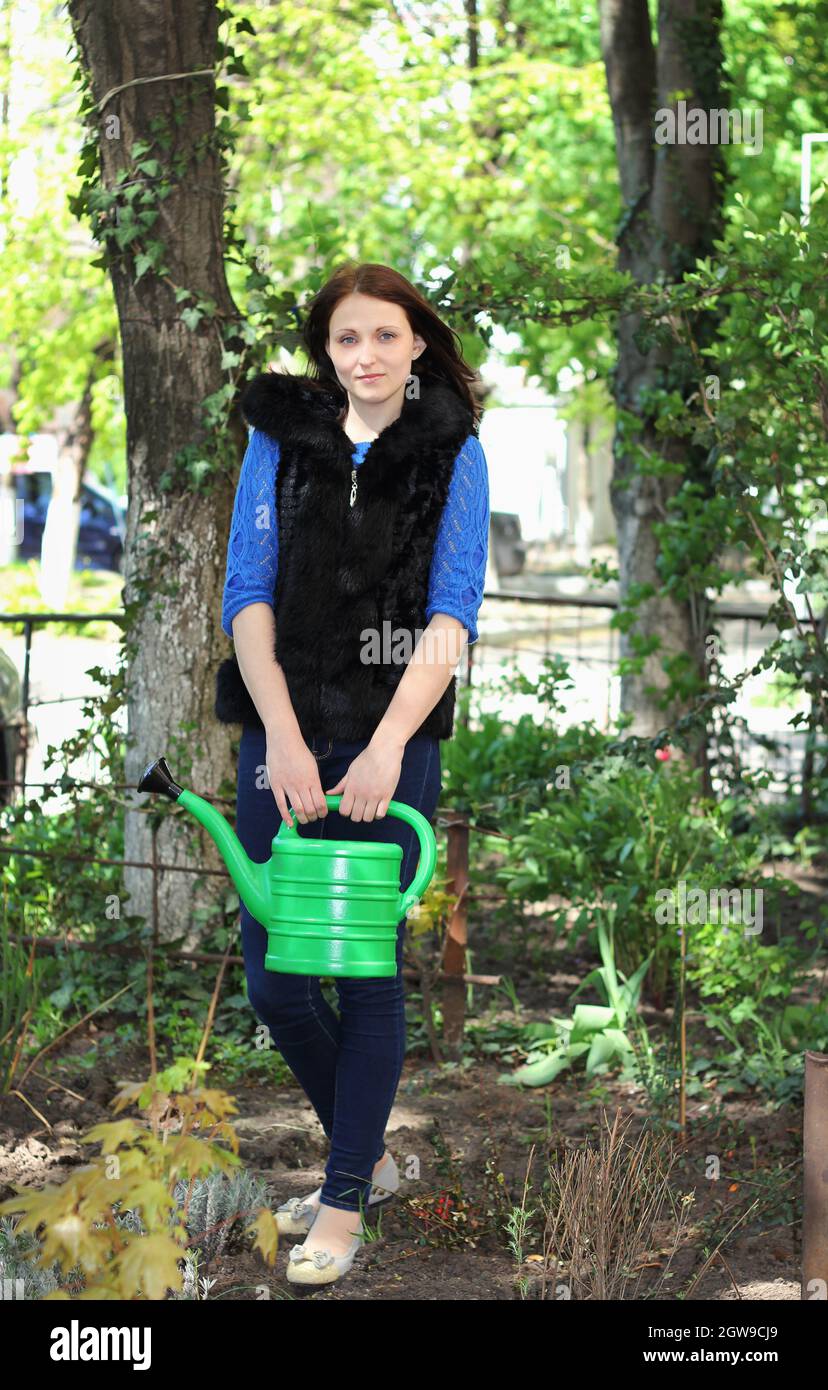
column 102, row 532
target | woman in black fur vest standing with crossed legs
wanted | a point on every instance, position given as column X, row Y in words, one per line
column 356, row 568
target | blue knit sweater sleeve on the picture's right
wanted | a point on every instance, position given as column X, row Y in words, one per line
column 462, row 547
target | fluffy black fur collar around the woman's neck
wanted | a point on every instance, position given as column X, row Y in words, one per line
column 302, row 411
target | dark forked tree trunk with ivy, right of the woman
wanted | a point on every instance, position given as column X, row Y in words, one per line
column 673, row 201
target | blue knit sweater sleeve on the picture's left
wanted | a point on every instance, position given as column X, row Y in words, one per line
column 254, row 543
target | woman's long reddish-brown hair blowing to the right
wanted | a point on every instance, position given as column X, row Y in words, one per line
column 440, row 361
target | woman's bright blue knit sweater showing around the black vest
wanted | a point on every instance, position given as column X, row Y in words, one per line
column 459, row 561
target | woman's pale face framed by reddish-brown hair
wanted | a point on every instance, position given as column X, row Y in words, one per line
column 372, row 345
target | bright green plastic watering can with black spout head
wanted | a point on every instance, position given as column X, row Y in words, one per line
column 330, row 907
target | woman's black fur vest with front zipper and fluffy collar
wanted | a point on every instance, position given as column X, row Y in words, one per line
column 347, row 569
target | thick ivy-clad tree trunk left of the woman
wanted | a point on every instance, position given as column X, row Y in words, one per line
column 176, row 536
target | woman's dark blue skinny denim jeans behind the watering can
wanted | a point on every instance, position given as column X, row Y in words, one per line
column 348, row 1064
